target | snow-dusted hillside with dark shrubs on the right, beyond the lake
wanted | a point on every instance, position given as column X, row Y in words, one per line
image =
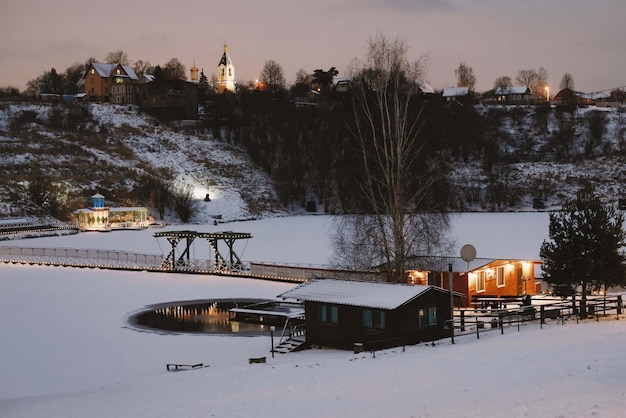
column 540, row 155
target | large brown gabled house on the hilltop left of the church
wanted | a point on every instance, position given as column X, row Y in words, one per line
column 113, row 83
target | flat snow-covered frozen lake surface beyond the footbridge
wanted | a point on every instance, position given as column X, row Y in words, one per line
column 306, row 239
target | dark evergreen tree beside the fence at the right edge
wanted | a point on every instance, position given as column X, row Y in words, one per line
column 584, row 246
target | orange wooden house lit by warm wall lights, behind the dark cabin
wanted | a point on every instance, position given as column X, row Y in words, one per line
column 482, row 276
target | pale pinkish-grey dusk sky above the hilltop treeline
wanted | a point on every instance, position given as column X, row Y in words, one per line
column 586, row 38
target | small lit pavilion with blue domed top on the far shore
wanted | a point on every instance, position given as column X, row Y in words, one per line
column 103, row 218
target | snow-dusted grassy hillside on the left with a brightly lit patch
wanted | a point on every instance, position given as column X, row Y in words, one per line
column 109, row 148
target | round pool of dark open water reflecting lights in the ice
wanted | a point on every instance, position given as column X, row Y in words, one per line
column 202, row 317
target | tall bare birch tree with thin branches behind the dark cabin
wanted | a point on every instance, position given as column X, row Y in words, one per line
column 397, row 177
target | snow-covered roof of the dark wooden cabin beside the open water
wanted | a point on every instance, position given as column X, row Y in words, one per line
column 356, row 293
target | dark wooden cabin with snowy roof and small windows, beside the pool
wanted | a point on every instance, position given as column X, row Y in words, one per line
column 342, row 313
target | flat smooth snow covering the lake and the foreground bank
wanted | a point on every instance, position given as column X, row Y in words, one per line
column 67, row 350
